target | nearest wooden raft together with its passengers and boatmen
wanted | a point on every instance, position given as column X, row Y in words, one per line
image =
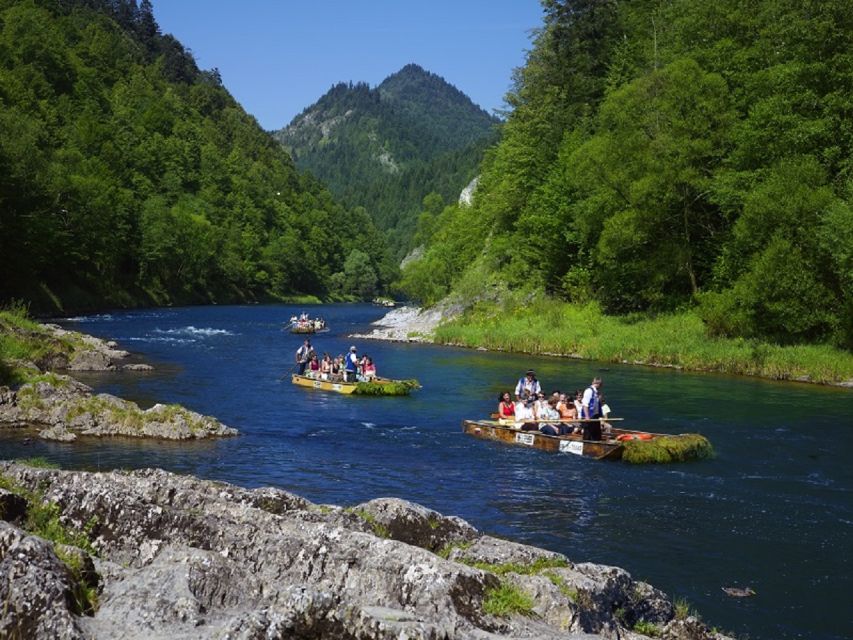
column 579, row 424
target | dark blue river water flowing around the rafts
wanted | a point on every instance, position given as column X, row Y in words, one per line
column 772, row 511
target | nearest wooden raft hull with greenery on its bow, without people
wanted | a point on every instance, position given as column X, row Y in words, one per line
column 637, row 447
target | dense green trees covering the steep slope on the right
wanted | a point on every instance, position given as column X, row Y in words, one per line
column 670, row 157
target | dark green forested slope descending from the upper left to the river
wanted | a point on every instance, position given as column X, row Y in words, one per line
column 127, row 175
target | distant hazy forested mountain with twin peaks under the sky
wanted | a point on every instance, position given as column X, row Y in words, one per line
column 387, row 148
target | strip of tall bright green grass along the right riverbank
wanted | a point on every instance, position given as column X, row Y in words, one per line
column 550, row 327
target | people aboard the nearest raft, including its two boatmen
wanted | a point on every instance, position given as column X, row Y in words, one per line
column 557, row 414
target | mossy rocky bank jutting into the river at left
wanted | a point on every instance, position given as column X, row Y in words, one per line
column 35, row 397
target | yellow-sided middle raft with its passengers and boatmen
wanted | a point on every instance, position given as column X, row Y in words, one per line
column 349, row 374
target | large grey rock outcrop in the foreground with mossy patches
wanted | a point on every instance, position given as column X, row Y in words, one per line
column 180, row 557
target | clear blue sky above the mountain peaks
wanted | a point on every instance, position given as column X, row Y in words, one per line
column 279, row 56
